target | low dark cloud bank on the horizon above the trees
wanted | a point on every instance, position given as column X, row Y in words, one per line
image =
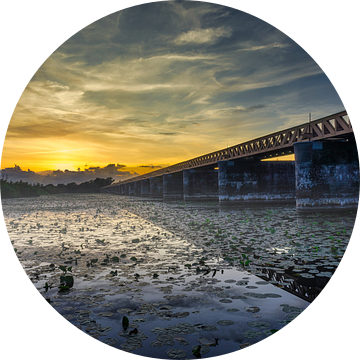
column 64, row 177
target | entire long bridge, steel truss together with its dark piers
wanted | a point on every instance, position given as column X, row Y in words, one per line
column 326, row 170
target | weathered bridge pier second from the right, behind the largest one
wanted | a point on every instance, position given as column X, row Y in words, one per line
column 241, row 180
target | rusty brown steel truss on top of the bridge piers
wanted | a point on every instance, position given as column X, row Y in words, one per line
column 276, row 144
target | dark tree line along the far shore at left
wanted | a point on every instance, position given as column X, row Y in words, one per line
column 9, row 189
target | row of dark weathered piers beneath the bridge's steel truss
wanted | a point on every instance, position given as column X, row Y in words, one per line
column 324, row 173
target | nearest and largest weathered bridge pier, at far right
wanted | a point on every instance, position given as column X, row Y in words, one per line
column 327, row 173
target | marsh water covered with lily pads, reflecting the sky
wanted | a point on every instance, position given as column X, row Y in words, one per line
column 194, row 279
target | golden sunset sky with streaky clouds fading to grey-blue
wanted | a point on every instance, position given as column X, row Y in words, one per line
column 159, row 83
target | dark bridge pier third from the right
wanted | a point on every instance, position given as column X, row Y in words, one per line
column 201, row 184
